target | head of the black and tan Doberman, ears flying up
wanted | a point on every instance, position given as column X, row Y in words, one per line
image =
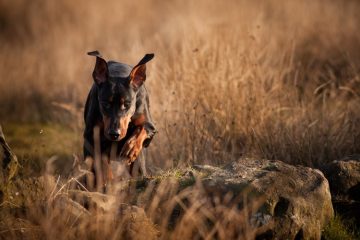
column 117, row 85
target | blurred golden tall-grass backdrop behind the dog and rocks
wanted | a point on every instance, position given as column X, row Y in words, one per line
column 269, row 79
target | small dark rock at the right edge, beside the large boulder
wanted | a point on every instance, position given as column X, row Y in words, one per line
column 344, row 179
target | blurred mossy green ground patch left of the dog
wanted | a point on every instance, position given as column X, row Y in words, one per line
column 35, row 143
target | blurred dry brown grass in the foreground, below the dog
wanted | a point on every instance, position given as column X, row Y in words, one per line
column 169, row 210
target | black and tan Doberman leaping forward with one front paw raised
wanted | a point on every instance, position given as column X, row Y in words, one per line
column 118, row 106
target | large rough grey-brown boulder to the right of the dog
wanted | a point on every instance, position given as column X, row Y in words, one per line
column 296, row 200
